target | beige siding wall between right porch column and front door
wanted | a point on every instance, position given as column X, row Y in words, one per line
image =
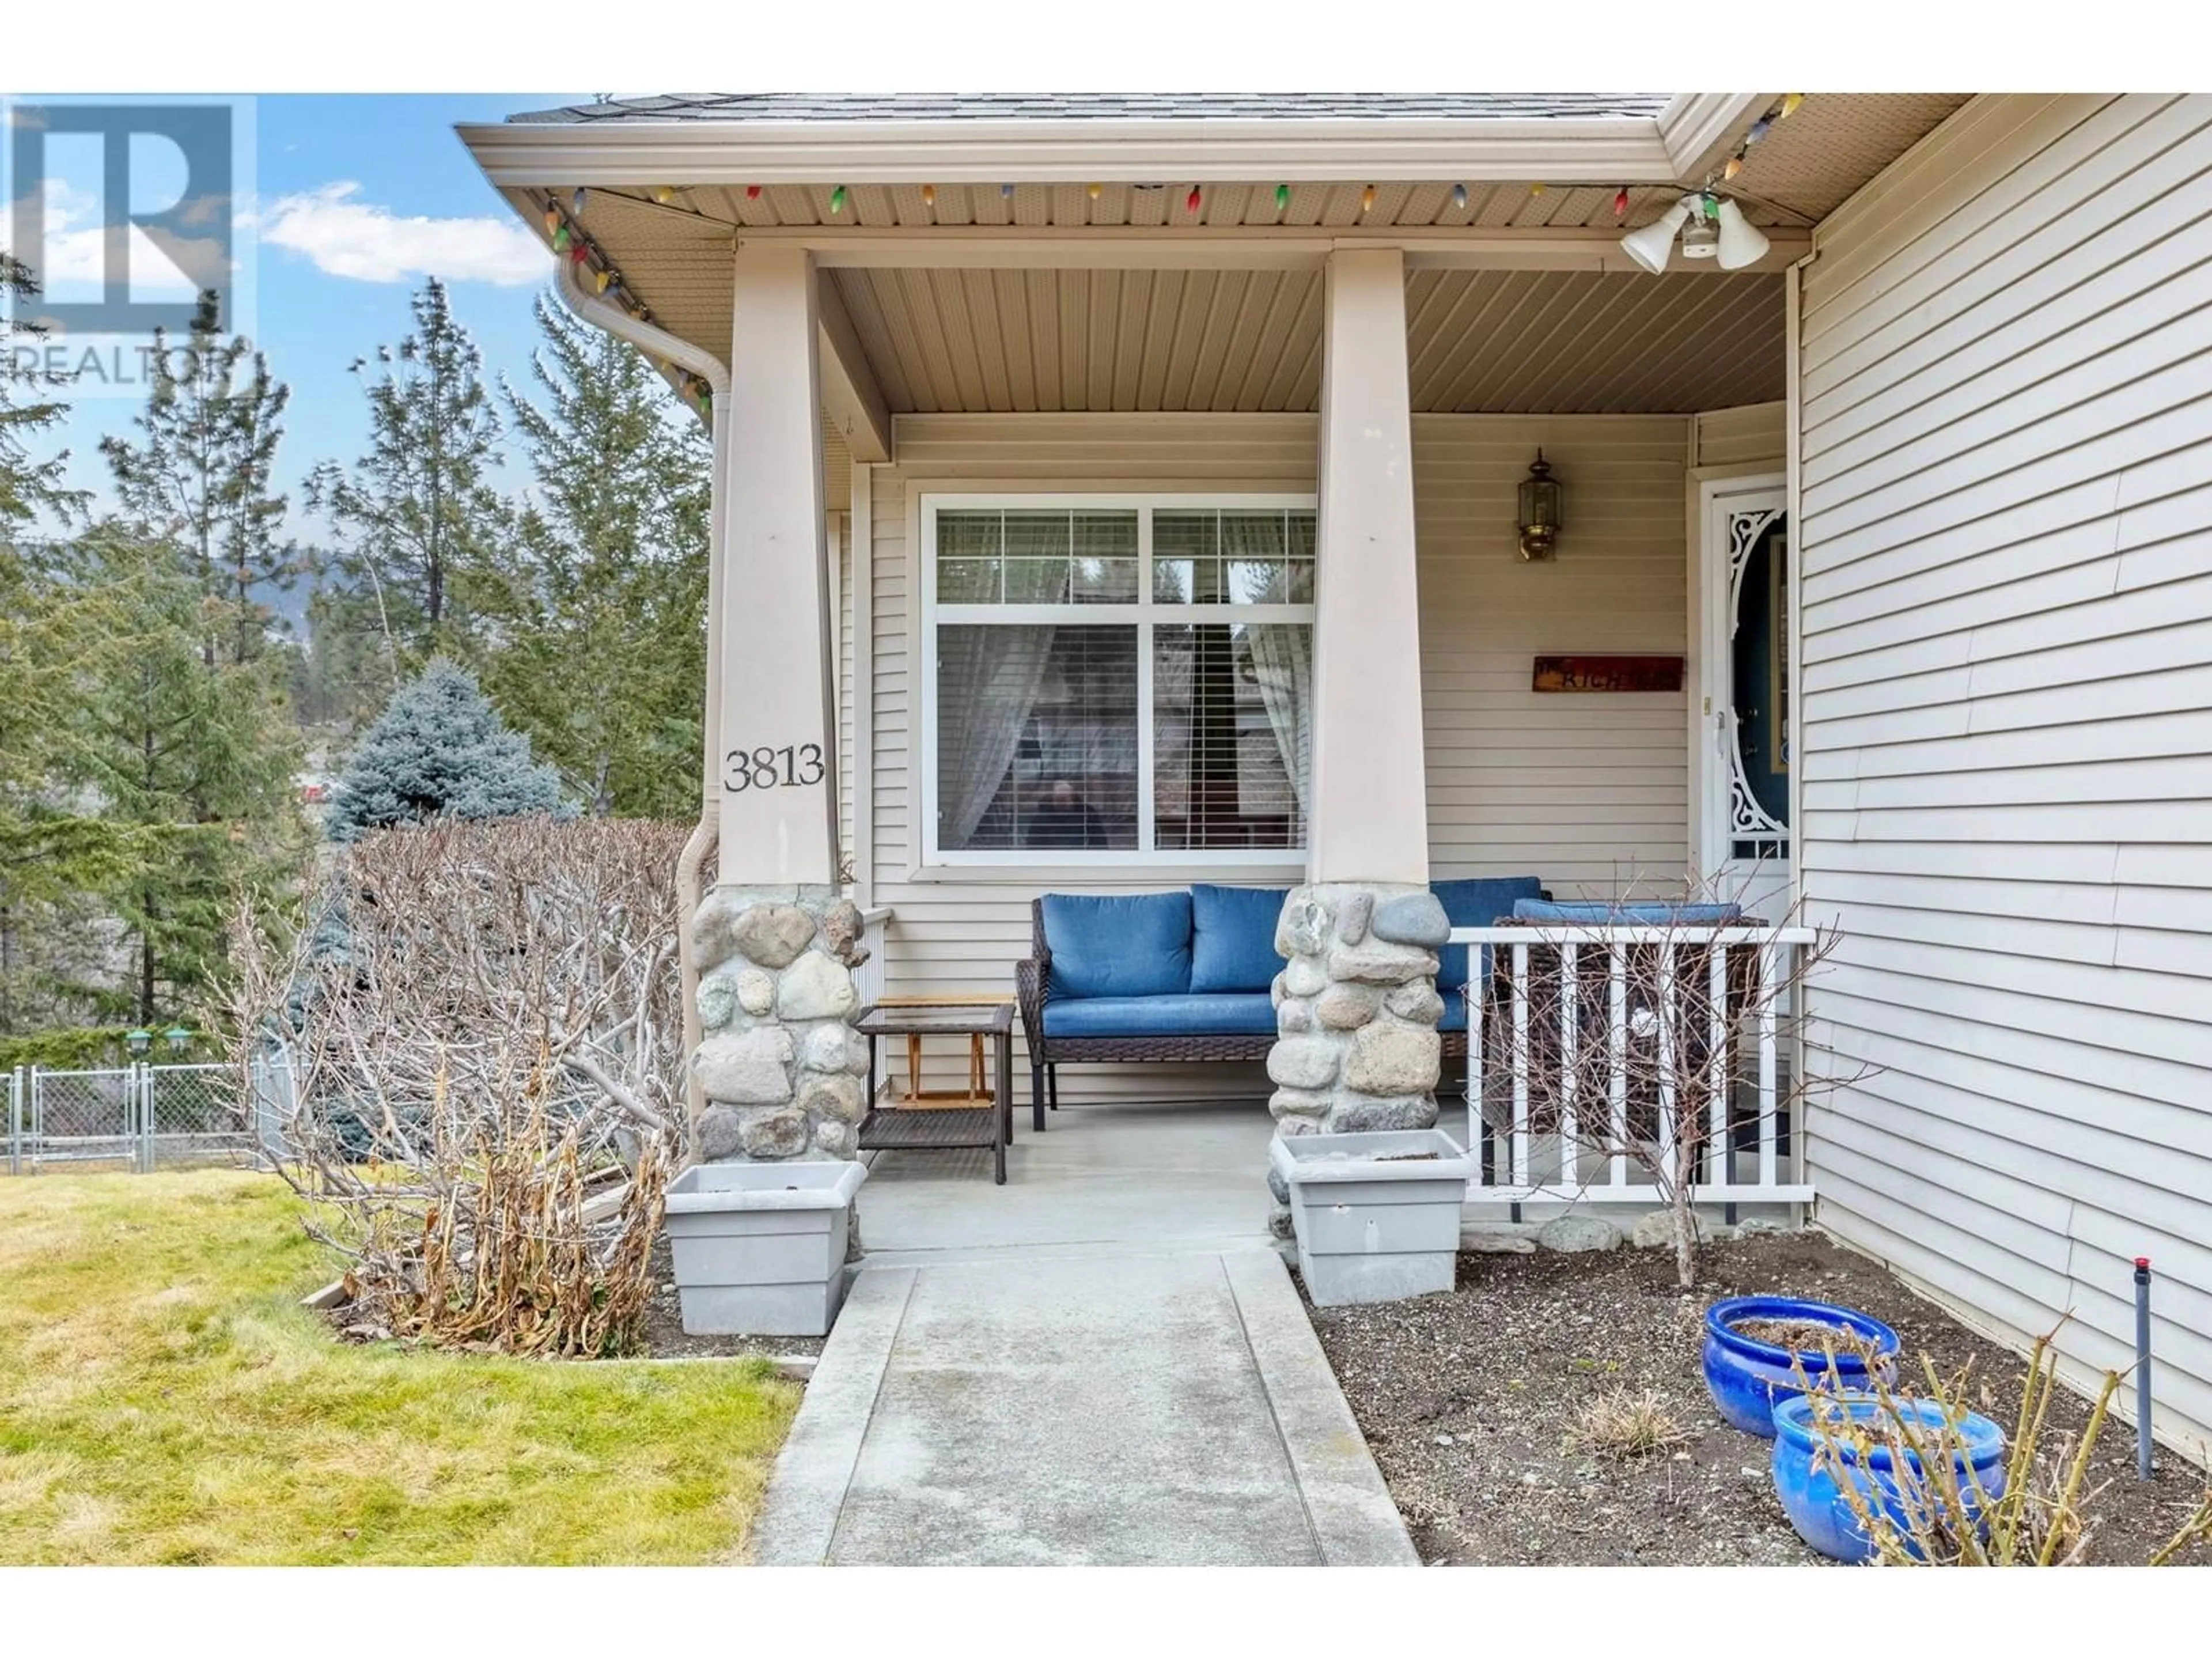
column 1585, row 791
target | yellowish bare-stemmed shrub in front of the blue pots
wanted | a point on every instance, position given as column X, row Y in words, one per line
column 1937, row 1512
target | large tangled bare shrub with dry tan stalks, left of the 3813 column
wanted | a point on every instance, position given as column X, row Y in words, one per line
column 486, row 1041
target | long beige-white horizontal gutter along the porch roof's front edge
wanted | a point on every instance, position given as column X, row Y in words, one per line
column 1611, row 149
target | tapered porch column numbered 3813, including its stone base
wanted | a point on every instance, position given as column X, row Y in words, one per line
column 780, row 1067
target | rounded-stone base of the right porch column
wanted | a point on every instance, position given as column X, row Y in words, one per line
column 1357, row 1010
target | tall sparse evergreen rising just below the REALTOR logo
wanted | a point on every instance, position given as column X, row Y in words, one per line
column 200, row 479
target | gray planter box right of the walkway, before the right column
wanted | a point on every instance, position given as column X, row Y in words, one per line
column 1377, row 1215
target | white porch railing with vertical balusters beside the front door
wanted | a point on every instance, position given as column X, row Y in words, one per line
column 1572, row 1103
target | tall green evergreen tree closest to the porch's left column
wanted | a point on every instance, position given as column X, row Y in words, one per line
column 605, row 578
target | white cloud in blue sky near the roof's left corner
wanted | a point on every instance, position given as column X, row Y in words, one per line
column 371, row 244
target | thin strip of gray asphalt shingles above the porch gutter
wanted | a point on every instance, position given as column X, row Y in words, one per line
column 1107, row 107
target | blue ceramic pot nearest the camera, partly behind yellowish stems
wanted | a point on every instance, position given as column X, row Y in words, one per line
column 1811, row 1492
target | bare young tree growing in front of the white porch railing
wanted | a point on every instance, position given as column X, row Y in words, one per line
column 1649, row 1052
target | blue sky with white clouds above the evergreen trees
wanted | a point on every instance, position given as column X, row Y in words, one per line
column 355, row 202
